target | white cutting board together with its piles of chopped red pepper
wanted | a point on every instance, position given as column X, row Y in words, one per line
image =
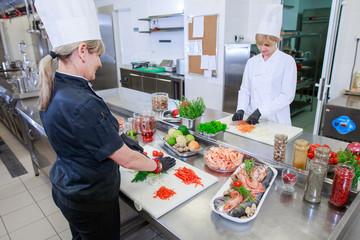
column 160, row 193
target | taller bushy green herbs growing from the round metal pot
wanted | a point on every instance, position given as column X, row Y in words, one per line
column 191, row 109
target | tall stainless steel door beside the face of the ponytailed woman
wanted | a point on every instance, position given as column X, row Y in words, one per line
column 106, row 76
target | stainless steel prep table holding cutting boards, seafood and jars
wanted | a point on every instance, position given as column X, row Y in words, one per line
column 282, row 216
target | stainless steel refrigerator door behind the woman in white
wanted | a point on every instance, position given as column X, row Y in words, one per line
column 236, row 56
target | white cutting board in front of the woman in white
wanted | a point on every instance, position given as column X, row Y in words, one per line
column 264, row 131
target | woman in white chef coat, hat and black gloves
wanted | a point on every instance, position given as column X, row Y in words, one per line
column 269, row 81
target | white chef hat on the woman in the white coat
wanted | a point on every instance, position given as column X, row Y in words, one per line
column 271, row 21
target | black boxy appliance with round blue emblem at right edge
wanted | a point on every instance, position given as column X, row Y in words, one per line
column 342, row 118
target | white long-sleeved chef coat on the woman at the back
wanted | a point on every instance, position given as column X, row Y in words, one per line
column 269, row 86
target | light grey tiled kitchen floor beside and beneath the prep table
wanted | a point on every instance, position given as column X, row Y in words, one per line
column 27, row 210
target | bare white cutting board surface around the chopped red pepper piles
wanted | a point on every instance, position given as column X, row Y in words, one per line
column 142, row 192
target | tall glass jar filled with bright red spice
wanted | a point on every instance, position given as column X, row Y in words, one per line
column 344, row 174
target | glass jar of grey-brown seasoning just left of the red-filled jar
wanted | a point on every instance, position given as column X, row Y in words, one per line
column 315, row 180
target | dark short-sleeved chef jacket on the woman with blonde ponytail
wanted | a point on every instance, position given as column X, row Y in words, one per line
column 83, row 133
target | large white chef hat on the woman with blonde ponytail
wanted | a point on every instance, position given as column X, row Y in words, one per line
column 69, row 21
